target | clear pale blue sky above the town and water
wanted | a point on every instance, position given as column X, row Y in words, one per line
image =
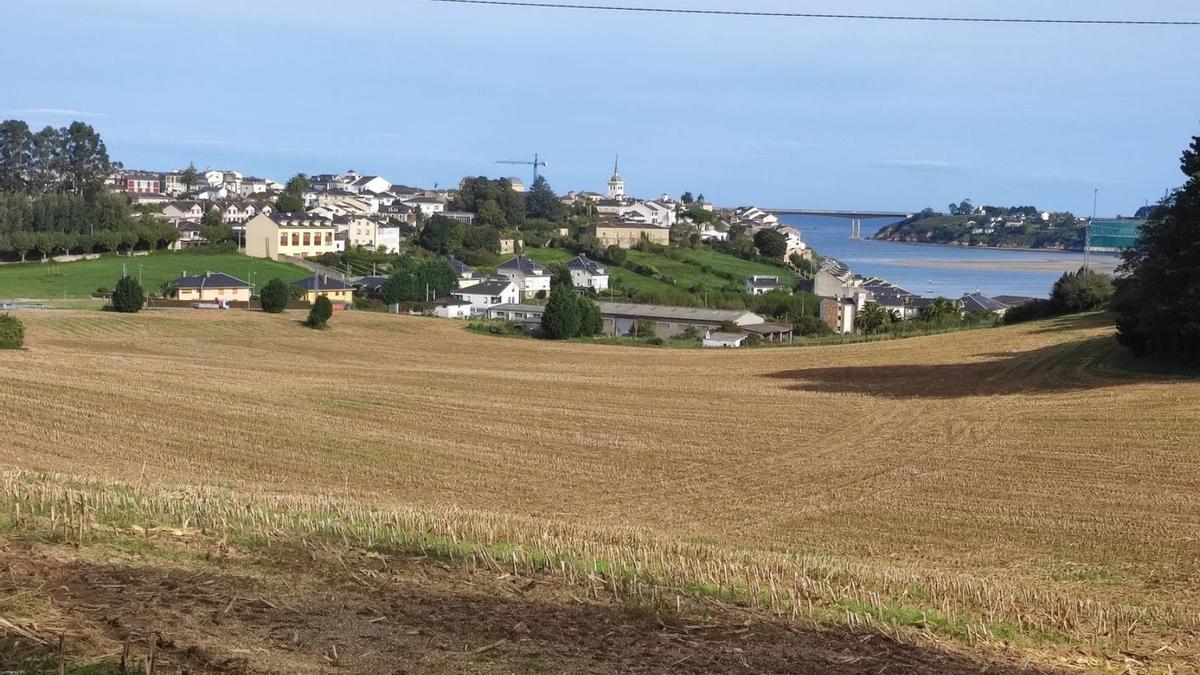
column 776, row 112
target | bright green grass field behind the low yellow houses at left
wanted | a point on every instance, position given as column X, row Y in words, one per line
column 81, row 279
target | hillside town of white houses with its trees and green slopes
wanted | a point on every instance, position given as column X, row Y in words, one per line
column 664, row 268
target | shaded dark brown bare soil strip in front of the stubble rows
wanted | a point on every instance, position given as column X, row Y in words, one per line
column 352, row 613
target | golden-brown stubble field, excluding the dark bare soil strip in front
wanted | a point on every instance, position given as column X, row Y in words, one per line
column 1012, row 493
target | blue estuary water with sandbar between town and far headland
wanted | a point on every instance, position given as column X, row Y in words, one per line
column 934, row 271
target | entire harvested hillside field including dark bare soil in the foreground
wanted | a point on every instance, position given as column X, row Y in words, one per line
column 992, row 493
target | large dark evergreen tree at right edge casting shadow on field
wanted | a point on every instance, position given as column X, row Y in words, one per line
column 1157, row 298
